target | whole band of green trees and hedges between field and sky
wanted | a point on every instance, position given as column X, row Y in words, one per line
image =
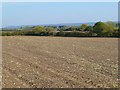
column 99, row 29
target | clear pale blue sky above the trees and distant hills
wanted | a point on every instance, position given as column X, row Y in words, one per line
column 37, row 13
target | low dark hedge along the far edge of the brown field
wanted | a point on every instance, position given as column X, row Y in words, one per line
column 61, row 33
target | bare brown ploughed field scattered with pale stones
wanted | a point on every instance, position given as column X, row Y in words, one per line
column 59, row 62
